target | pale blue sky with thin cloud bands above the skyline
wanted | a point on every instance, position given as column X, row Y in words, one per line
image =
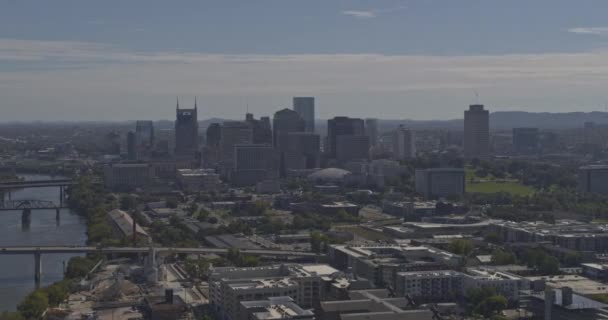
column 389, row 59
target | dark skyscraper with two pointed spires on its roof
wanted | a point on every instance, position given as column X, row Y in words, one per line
column 186, row 131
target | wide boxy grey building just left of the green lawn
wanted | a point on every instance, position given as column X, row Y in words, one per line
column 440, row 182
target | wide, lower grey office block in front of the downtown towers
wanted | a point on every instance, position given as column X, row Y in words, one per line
column 254, row 163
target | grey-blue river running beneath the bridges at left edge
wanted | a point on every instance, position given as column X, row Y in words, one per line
column 17, row 271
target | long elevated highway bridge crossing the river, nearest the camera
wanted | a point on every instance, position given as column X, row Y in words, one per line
column 166, row 250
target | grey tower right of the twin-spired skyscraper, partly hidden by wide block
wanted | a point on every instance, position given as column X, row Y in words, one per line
column 233, row 133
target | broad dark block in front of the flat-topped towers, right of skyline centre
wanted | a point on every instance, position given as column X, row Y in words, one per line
column 303, row 151
